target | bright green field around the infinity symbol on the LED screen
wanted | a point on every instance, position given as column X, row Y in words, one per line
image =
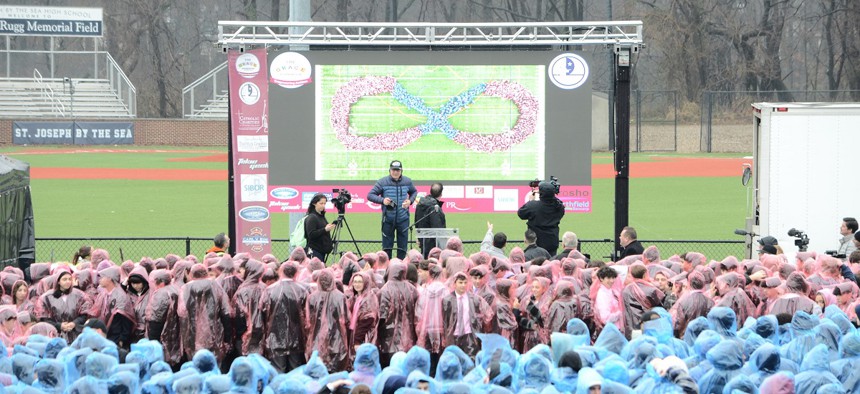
column 432, row 156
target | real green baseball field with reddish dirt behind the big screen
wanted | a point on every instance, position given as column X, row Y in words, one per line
column 664, row 208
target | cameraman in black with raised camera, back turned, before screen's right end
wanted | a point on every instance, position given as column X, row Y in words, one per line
column 544, row 216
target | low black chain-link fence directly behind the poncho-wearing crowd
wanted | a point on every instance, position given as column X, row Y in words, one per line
column 121, row 249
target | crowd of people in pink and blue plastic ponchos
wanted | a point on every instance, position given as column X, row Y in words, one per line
column 449, row 323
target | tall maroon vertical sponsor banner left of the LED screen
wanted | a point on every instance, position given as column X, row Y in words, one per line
column 249, row 96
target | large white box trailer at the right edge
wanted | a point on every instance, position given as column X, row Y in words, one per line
column 806, row 161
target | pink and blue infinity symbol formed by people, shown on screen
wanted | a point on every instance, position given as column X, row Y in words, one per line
column 437, row 119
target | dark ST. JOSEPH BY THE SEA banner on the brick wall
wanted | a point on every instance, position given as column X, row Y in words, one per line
column 73, row 133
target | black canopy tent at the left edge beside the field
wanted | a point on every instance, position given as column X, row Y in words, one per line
column 17, row 238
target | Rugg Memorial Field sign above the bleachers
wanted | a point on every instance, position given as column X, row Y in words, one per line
column 51, row 21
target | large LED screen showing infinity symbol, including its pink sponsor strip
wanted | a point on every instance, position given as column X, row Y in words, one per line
column 481, row 122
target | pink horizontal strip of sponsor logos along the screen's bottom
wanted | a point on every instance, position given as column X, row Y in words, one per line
column 477, row 199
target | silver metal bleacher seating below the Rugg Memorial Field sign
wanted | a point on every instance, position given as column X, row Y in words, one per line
column 52, row 98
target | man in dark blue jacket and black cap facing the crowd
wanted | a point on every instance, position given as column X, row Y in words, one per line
column 395, row 193
